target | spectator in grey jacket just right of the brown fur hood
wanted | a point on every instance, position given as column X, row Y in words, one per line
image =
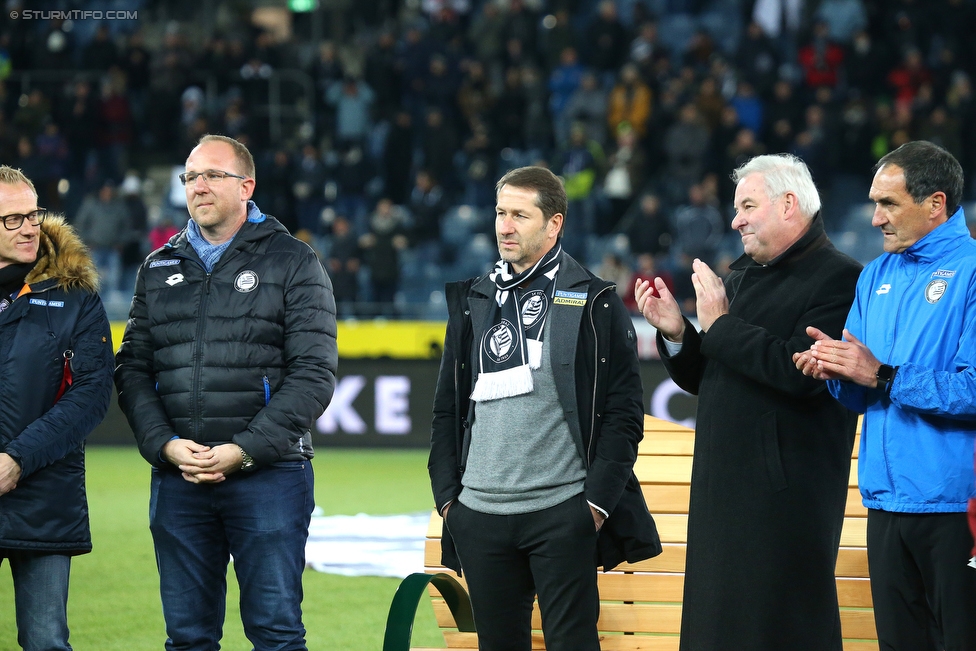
column 103, row 224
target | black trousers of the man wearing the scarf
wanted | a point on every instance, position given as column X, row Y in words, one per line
column 507, row 559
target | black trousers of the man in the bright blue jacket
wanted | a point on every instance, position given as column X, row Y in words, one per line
column 924, row 593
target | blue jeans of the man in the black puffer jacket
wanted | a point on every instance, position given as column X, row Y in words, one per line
column 260, row 518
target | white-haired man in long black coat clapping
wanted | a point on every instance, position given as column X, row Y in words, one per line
column 772, row 449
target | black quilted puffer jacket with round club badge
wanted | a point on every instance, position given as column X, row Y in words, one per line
column 246, row 353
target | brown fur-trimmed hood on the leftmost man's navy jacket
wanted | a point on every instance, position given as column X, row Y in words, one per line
column 64, row 257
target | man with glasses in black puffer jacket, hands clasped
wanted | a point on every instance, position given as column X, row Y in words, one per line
column 228, row 358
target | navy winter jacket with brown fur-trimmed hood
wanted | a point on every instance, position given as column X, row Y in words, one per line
column 48, row 511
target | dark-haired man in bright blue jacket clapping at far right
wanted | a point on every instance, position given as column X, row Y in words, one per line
column 908, row 363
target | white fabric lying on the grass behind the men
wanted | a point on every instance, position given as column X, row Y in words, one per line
column 367, row 545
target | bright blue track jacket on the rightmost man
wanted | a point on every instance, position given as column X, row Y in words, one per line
column 917, row 310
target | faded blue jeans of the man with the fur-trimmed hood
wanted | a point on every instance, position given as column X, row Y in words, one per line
column 41, row 599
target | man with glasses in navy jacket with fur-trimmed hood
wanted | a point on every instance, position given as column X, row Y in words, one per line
column 55, row 386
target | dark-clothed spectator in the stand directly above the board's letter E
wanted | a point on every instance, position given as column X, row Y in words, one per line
column 382, row 246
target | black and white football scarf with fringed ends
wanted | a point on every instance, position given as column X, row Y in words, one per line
column 512, row 342
